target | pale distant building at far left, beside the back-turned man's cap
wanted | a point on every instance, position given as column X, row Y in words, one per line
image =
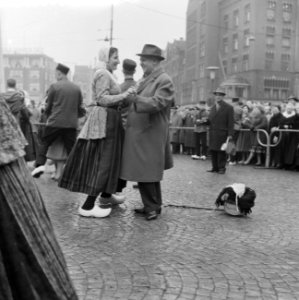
column 33, row 72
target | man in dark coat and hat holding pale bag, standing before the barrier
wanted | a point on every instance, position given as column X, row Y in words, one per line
column 221, row 121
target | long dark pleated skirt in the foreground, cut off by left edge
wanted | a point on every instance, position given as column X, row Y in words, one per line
column 31, row 262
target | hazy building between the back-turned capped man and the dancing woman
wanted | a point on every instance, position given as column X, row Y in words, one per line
column 83, row 77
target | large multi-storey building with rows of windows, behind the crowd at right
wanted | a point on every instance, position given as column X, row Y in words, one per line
column 252, row 42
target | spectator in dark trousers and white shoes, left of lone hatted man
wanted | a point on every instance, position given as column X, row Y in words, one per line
column 200, row 132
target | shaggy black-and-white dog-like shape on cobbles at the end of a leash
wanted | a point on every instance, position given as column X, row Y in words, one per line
column 237, row 199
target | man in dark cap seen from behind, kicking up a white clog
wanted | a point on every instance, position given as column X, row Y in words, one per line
column 63, row 109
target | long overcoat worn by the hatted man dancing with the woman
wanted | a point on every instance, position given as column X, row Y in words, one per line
column 147, row 151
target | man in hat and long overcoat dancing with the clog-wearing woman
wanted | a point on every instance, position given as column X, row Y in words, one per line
column 146, row 147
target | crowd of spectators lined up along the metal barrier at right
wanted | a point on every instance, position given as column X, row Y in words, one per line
column 189, row 135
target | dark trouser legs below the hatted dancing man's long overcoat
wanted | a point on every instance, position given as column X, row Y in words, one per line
column 151, row 196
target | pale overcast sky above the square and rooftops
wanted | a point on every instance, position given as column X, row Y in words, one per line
column 73, row 31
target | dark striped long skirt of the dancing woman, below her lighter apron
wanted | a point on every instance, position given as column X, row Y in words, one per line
column 93, row 166
